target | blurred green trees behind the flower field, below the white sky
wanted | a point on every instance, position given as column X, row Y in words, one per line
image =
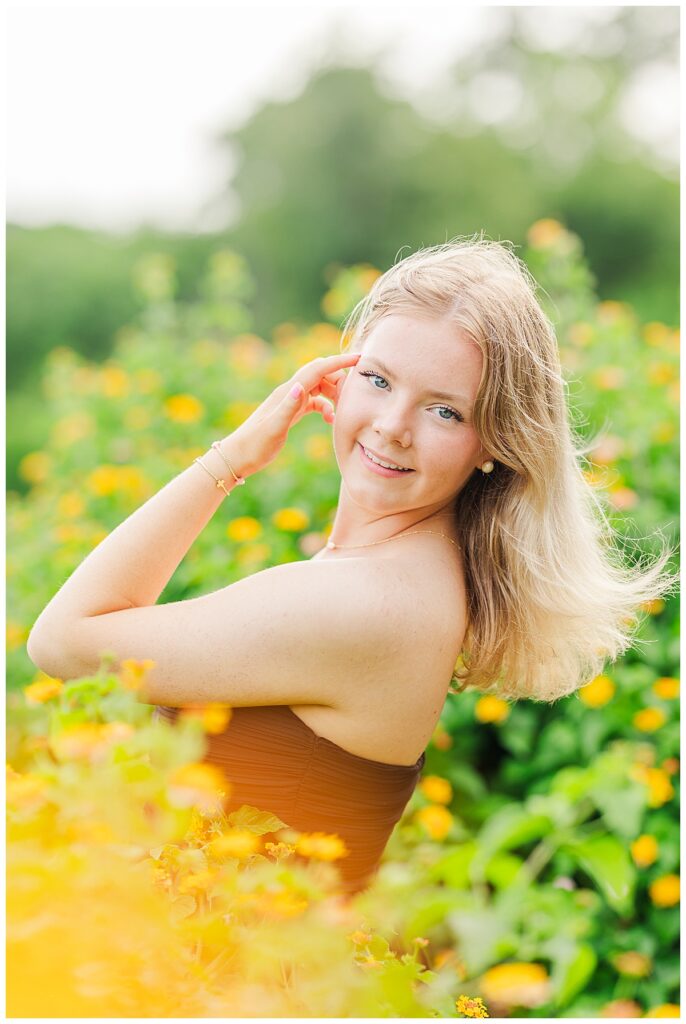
column 347, row 173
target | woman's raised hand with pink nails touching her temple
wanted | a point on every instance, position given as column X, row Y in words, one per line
column 260, row 440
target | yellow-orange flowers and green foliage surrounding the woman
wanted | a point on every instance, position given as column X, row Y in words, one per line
column 536, row 870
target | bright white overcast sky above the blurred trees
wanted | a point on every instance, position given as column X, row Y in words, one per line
column 113, row 111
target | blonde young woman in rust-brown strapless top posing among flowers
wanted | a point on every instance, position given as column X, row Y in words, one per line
column 464, row 527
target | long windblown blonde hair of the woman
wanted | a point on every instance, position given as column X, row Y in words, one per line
column 549, row 598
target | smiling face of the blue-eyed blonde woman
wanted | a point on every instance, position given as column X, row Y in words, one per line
column 389, row 404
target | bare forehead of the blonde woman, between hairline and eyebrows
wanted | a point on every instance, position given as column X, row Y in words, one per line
column 433, row 352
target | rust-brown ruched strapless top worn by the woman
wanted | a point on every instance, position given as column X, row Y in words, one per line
column 277, row 763
